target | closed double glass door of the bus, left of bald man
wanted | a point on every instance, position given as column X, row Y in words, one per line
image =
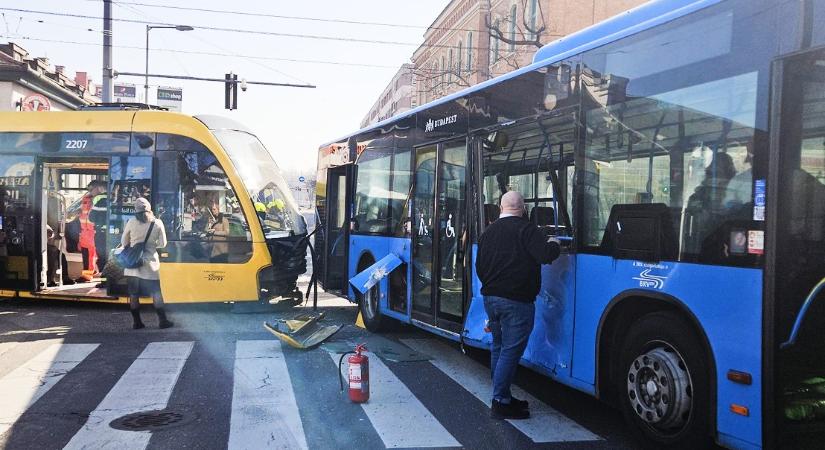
column 440, row 235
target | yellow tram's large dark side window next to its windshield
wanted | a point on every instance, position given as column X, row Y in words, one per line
column 200, row 210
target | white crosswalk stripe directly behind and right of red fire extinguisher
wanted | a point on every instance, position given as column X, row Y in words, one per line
column 398, row 417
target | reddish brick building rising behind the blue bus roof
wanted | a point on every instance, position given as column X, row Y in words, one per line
column 471, row 41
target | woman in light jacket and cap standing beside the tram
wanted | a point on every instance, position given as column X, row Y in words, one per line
column 145, row 280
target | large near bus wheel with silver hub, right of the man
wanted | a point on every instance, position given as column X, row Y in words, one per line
column 664, row 383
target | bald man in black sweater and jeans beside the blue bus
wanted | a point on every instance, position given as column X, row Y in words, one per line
column 510, row 254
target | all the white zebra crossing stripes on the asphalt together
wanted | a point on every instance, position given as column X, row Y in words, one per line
column 264, row 410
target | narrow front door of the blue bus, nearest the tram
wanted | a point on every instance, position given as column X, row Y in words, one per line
column 336, row 223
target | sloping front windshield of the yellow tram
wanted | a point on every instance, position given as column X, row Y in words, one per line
column 263, row 181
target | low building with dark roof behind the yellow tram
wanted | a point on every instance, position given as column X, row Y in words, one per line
column 32, row 84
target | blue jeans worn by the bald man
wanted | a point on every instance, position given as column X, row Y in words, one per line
column 511, row 322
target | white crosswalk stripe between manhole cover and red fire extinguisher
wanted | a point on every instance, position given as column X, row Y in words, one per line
column 264, row 411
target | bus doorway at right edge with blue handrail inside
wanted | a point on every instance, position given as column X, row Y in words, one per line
column 795, row 273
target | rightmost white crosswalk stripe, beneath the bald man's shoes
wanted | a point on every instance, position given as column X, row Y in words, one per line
column 545, row 423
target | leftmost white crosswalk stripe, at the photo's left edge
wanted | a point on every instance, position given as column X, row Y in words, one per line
column 23, row 386
